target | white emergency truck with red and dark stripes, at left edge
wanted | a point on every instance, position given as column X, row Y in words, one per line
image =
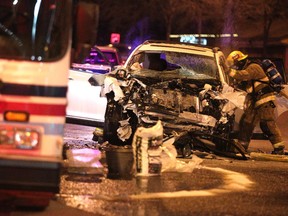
column 35, row 52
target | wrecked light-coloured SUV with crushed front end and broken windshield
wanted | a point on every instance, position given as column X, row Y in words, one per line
column 182, row 85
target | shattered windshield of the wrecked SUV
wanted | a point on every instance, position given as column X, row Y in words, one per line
column 174, row 65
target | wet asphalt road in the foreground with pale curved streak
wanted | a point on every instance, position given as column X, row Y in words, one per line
column 217, row 186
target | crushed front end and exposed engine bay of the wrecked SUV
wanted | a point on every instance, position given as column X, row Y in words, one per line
column 194, row 113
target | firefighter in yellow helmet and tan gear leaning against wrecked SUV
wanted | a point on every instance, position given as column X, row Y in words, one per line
column 260, row 101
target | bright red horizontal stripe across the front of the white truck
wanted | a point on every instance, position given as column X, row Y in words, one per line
column 34, row 108
